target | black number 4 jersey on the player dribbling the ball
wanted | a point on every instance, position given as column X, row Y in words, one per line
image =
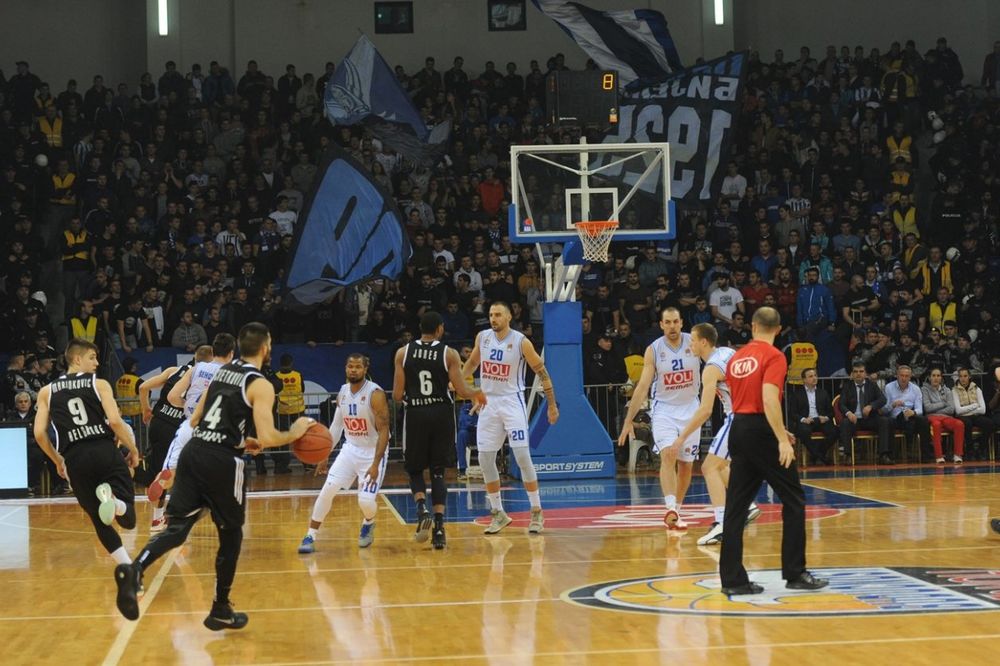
column 227, row 413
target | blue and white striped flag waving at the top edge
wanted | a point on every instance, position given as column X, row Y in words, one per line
column 634, row 42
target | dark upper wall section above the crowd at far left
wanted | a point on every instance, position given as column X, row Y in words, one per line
column 64, row 39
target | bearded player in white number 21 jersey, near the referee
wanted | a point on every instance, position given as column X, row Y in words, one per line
column 674, row 394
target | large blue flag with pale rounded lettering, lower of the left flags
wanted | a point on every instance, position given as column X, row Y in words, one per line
column 350, row 231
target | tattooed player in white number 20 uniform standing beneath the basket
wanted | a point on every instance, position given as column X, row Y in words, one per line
column 501, row 354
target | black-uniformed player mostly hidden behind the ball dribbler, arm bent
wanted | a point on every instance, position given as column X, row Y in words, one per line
column 163, row 419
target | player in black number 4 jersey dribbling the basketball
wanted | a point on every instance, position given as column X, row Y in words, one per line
column 210, row 473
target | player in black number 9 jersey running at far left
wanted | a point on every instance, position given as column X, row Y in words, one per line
column 86, row 420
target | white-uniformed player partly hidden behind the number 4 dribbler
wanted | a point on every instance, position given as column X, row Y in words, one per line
column 188, row 390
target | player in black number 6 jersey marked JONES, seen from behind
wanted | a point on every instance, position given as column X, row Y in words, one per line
column 423, row 370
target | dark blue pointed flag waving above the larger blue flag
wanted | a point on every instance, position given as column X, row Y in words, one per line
column 364, row 90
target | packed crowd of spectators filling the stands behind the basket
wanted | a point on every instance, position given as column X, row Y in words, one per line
column 860, row 200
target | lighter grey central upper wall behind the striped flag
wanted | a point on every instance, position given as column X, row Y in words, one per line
column 310, row 32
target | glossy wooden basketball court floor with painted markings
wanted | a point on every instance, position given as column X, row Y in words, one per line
column 916, row 566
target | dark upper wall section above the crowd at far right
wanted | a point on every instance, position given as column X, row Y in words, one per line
column 971, row 26
